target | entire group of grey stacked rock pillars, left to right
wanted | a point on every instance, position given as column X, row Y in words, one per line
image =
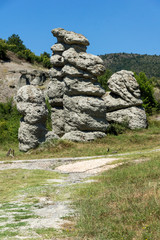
column 81, row 110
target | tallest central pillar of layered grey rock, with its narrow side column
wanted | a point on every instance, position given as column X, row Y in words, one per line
column 78, row 110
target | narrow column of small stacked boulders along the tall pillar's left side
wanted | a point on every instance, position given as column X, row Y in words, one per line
column 56, row 89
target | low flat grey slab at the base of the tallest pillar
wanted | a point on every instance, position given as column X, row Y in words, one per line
column 79, row 136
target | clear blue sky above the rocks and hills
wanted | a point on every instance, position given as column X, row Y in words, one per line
column 111, row 26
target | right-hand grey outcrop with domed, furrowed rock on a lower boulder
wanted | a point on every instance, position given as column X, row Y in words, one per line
column 123, row 103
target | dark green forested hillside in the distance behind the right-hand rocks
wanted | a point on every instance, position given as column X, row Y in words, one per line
column 150, row 64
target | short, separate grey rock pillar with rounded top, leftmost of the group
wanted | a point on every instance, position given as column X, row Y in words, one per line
column 31, row 104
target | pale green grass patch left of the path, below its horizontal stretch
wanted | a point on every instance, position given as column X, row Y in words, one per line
column 17, row 182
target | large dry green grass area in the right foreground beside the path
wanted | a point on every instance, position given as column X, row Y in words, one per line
column 123, row 204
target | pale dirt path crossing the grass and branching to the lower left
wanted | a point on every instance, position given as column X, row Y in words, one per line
column 51, row 214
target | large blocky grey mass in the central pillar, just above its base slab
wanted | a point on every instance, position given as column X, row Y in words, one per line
column 84, row 114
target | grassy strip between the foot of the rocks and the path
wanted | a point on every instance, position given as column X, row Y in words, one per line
column 126, row 142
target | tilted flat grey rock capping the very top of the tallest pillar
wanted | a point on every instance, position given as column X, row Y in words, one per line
column 70, row 37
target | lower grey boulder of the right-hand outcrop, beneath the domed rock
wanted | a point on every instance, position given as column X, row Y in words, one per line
column 135, row 117
